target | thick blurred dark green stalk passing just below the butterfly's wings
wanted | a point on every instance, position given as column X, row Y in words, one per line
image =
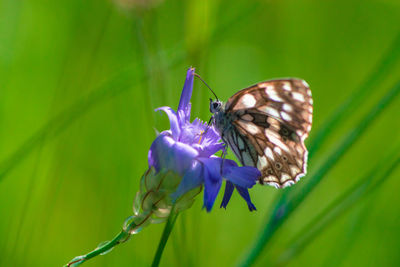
column 288, row 200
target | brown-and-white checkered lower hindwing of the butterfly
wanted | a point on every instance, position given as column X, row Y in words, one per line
column 280, row 160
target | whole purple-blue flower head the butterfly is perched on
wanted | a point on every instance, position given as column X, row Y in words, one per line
column 188, row 149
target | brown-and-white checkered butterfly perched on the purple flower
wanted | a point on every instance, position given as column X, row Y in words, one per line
column 265, row 126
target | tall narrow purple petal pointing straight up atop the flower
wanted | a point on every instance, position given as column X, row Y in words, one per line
column 184, row 102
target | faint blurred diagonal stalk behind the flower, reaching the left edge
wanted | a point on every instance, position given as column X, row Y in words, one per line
column 120, row 82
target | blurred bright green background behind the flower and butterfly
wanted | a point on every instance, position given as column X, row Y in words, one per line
column 79, row 81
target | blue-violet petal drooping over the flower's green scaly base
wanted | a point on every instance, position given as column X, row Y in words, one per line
column 192, row 179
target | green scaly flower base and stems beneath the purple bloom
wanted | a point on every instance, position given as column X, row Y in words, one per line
column 151, row 205
